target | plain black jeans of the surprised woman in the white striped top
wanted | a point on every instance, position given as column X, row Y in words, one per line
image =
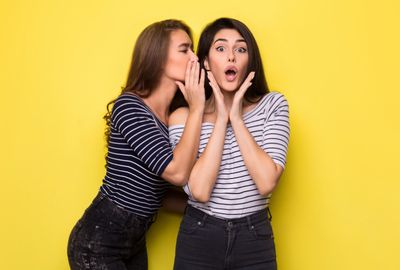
column 206, row 242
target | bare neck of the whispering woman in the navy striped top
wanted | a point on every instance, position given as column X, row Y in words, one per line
column 160, row 99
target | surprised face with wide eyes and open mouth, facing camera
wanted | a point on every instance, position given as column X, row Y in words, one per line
column 228, row 59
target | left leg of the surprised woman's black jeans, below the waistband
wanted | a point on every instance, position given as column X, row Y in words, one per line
column 200, row 245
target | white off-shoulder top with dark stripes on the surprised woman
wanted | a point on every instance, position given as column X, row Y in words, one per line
column 235, row 193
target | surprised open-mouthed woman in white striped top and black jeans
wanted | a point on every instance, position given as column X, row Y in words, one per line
column 242, row 154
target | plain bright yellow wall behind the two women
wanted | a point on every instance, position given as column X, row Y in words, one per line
column 337, row 62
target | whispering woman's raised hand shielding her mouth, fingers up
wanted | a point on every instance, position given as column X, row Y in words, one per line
column 193, row 89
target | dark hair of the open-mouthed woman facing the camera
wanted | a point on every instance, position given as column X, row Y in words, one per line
column 259, row 85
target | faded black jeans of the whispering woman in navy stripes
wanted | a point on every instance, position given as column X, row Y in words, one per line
column 108, row 237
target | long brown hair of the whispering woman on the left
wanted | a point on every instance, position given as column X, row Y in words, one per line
column 148, row 61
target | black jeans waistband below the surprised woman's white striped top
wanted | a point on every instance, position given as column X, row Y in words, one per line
column 258, row 216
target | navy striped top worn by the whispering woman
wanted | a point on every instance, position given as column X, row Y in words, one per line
column 138, row 153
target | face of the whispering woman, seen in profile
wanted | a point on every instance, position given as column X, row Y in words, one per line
column 179, row 54
